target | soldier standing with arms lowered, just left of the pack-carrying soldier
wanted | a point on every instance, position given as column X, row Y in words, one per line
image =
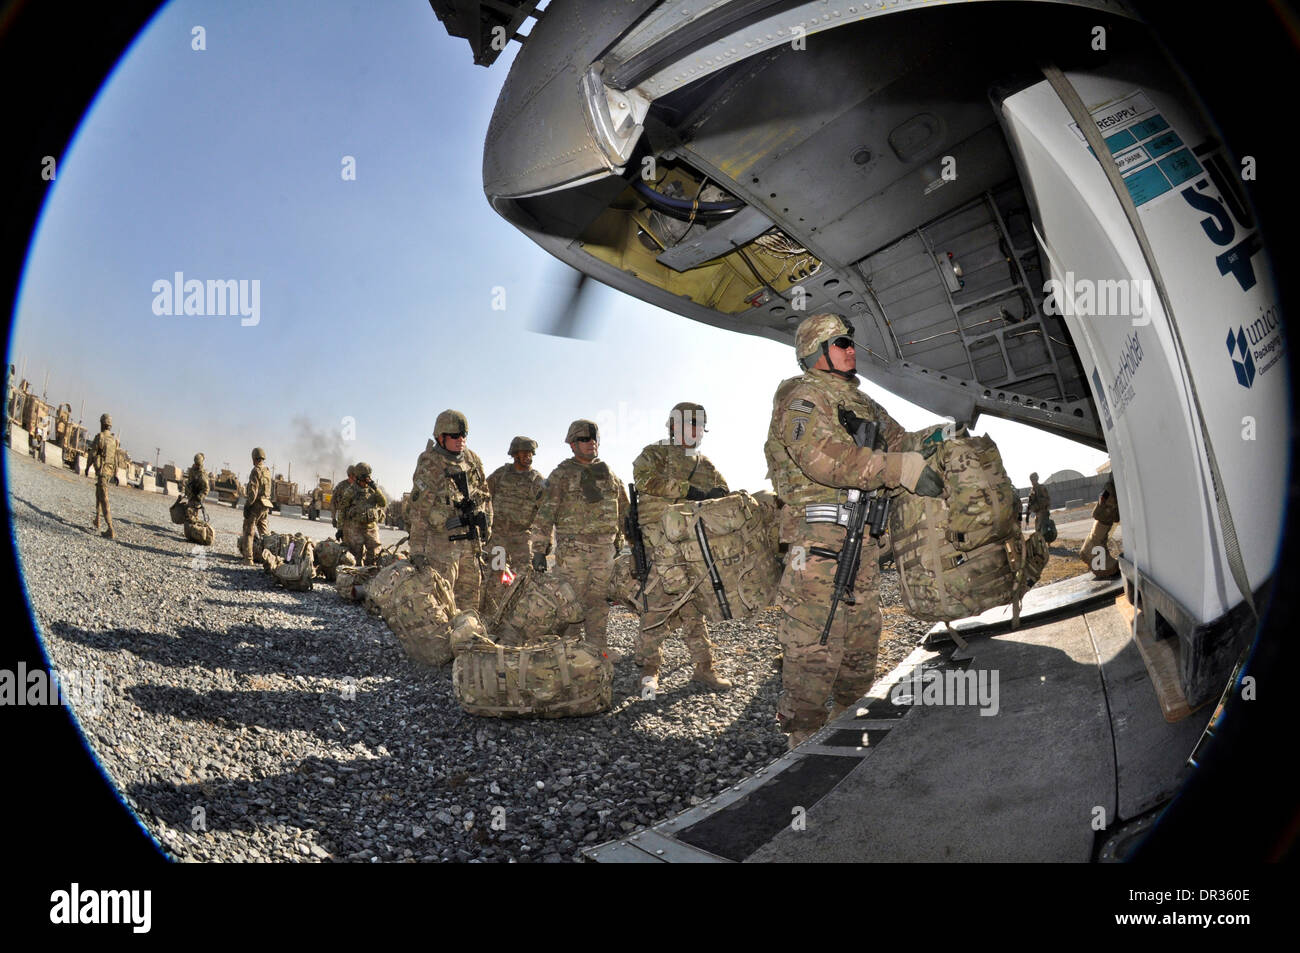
column 586, row 504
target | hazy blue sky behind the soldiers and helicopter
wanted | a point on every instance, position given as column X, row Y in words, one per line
column 376, row 293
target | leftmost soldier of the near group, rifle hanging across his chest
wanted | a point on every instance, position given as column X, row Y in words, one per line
column 436, row 500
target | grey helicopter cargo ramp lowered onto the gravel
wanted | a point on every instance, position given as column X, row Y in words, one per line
column 1039, row 748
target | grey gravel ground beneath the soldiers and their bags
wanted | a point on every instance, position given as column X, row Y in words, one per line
column 244, row 722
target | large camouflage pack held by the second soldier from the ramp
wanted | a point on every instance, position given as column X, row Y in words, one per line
column 742, row 536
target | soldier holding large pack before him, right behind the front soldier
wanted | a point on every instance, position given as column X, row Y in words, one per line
column 674, row 471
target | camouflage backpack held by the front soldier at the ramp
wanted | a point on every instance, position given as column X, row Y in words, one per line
column 963, row 553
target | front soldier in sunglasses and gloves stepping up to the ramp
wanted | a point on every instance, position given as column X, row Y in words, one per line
column 812, row 458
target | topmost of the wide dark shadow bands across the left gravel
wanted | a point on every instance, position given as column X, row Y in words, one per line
column 271, row 652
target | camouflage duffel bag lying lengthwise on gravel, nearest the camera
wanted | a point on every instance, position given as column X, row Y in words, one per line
column 558, row 678
